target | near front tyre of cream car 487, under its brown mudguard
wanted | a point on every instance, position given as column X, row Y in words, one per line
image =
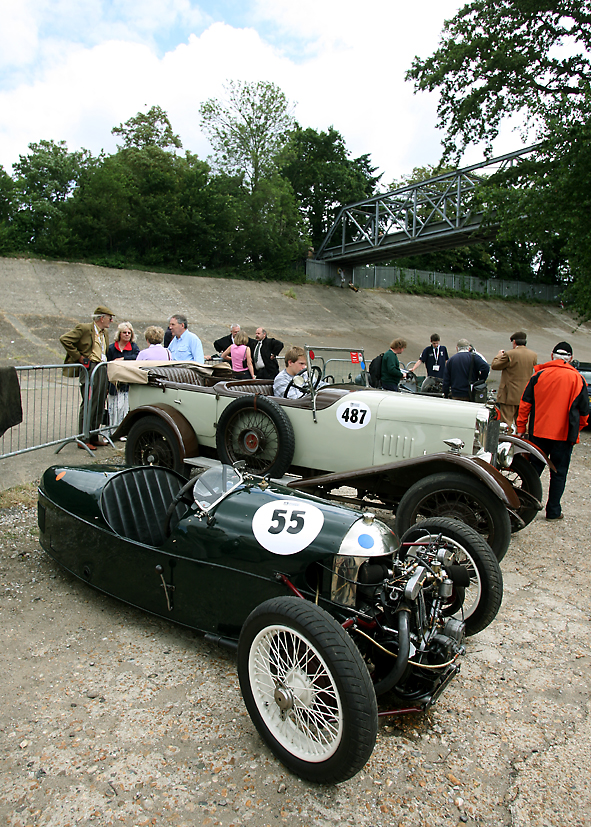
column 461, row 497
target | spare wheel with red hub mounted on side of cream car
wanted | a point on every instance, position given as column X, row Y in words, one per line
column 257, row 430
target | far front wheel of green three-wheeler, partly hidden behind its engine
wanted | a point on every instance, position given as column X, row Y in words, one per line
column 483, row 597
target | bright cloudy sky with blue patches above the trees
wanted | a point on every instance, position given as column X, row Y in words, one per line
column 72, row 69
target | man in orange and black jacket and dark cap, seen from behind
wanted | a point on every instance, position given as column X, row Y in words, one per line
column 556, row 402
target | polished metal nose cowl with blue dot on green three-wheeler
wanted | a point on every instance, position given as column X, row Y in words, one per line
column 366, row 538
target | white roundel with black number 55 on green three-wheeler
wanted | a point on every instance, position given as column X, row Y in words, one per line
column 287, row 526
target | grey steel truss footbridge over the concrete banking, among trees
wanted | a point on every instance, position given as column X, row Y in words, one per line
column 432, row 215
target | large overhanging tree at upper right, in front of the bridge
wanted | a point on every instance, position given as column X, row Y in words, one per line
column 533, row 58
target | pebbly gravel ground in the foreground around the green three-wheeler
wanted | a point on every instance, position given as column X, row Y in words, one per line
column 112, row 717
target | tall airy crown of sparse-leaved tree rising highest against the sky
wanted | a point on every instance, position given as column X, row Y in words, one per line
column 248, row 129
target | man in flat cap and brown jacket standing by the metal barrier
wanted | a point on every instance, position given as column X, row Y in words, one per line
column 87, row 345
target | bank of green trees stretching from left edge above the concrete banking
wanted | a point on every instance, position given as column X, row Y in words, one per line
column 148, row 205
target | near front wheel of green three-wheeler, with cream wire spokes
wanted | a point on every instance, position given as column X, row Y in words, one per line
column 307, row 690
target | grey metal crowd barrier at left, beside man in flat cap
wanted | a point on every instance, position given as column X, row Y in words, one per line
column 51, row 398
